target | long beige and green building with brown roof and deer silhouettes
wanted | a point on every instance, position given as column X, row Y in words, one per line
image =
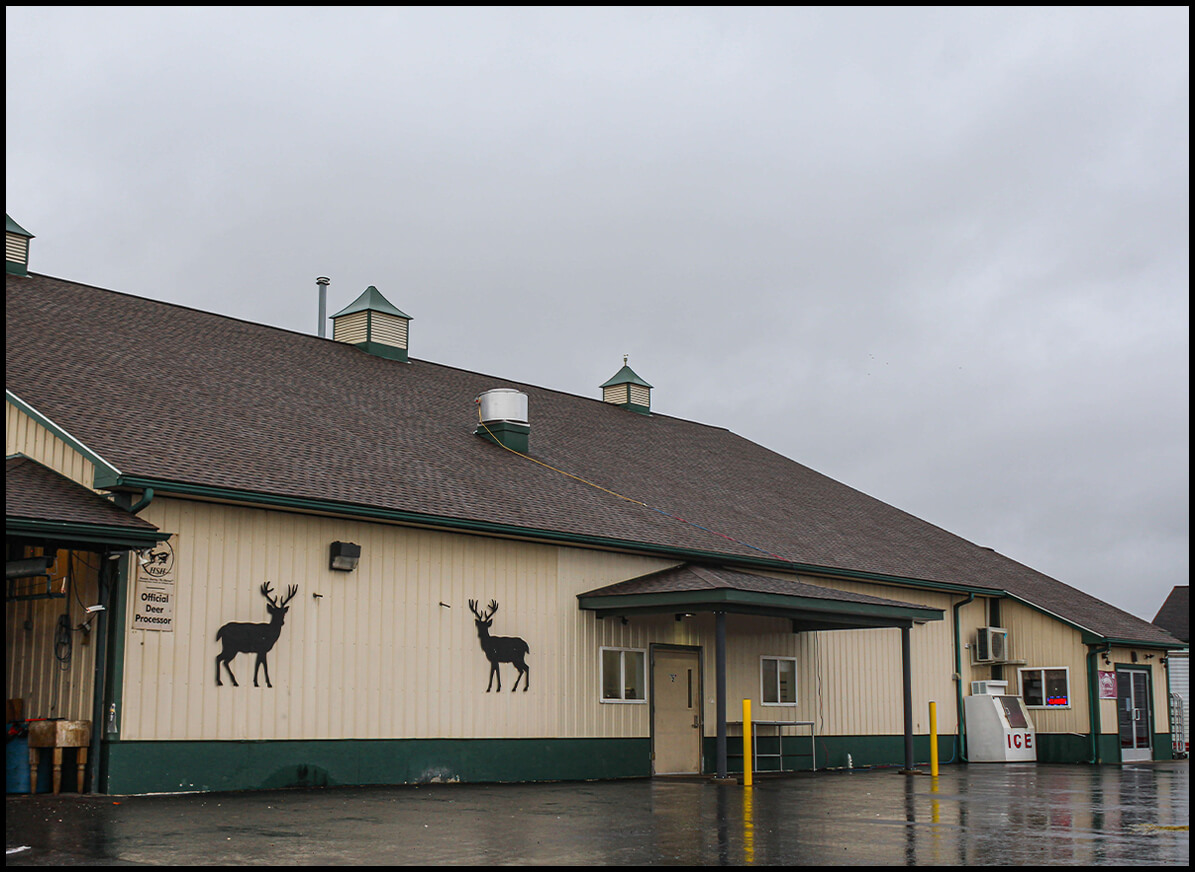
column 334, row 563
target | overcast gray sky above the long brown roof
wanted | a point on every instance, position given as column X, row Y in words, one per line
column 939, row 255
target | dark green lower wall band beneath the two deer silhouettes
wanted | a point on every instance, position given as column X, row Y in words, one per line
column 152, row 767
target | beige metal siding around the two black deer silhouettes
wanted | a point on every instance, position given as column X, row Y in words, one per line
column 390, row 650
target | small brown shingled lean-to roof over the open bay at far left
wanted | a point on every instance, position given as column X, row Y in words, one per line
column 42, row 503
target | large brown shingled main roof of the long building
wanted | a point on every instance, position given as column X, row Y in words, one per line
column 228, row 409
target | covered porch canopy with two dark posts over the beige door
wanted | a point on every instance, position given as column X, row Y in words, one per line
column 695, row 589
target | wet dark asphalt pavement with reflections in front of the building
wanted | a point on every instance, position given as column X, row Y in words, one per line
column 971, row 815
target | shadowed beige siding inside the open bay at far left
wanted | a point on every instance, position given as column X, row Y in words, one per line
column 54, row 680
